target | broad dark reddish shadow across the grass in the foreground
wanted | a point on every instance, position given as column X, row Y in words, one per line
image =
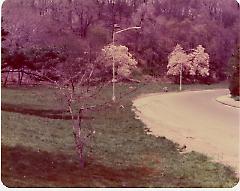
column 22, row 167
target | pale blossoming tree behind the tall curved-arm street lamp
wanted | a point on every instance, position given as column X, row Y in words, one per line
column 120, row 56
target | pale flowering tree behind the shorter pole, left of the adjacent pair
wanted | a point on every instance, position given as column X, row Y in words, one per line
column 178, row 62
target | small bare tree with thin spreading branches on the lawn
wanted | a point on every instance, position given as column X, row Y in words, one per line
column 78, row 84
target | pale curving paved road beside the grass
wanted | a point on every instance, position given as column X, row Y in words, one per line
column 194, row 119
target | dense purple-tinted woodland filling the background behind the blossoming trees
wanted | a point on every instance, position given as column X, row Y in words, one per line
column 38, row 35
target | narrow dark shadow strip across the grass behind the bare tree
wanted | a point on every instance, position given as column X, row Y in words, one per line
column 46, row 113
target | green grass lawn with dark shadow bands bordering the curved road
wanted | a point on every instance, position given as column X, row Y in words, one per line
column 38, row 148
